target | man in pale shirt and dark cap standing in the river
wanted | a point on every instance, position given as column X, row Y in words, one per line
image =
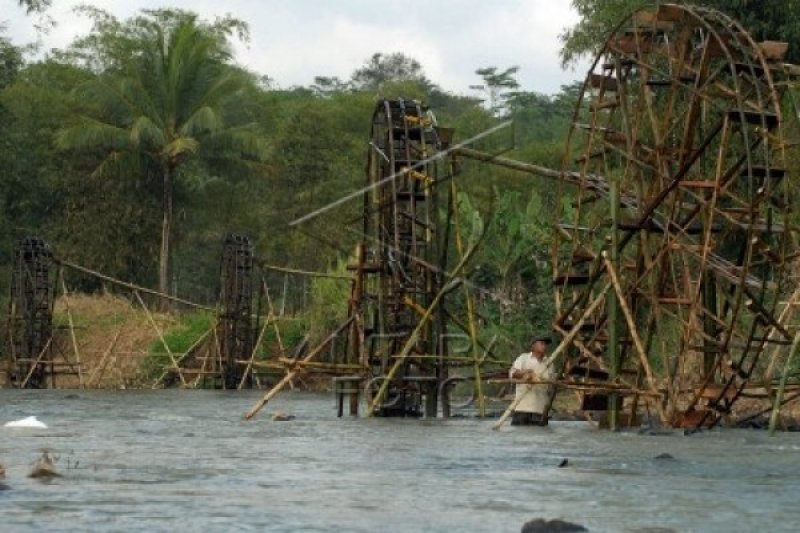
column 531, row 400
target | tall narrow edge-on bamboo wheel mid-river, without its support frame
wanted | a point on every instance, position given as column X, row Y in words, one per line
column 399, row 276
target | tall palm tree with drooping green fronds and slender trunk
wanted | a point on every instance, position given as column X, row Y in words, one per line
column 176, row 99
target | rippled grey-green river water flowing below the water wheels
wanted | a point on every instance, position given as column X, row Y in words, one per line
column 175, row 460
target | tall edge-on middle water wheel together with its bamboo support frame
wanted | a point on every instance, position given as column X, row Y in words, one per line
column 403, row 323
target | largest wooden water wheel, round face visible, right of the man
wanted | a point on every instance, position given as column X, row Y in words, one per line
column 670, row 252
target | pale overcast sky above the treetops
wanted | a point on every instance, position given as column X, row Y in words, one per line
column 294, row 40
